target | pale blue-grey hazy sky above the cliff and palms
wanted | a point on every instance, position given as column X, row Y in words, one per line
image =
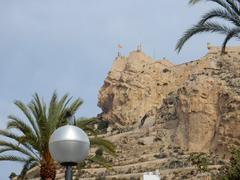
column 69, row 46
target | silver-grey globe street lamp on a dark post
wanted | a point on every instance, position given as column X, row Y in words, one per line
column 69, row 145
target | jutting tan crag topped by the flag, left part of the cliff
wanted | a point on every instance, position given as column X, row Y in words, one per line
column 137, row 84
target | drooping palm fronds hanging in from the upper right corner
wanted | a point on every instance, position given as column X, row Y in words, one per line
column 229, row 11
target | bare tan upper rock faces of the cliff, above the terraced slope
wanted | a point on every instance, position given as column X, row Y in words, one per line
column 198, row 102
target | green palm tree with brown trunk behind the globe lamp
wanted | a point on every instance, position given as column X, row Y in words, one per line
column 30, row 138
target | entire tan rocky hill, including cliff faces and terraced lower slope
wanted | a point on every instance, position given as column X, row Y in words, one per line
column 160, row 113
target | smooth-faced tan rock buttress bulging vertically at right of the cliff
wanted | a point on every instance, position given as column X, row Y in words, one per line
column 197, row 113
